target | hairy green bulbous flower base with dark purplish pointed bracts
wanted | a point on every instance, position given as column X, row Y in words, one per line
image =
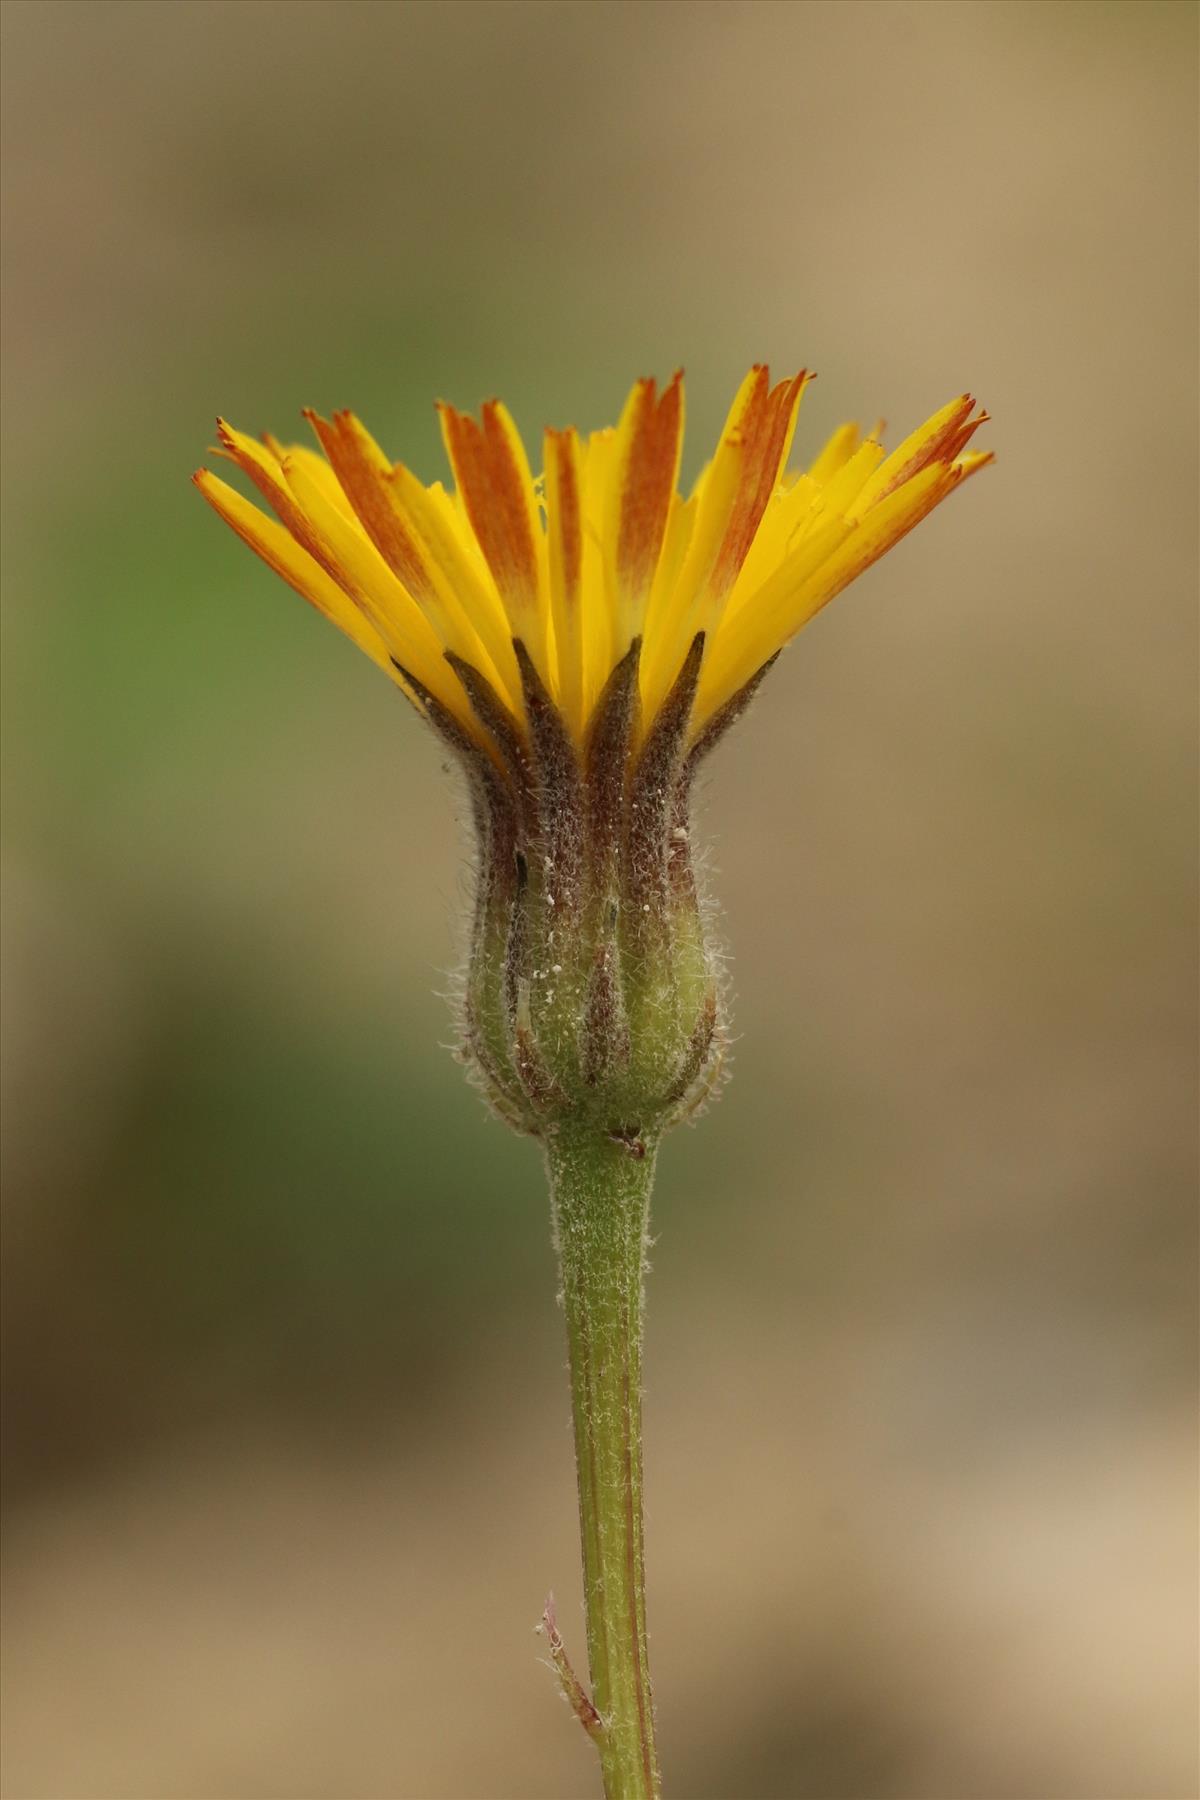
column 593, row 989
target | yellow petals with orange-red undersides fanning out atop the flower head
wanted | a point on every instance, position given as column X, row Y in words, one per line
column 596, row 553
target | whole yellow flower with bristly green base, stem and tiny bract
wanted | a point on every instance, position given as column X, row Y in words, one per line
column 580, row 643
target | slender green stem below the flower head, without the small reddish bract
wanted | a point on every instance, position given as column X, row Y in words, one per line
column 602, row 1205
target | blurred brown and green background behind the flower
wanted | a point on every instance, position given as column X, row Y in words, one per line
column 289, row 1455
